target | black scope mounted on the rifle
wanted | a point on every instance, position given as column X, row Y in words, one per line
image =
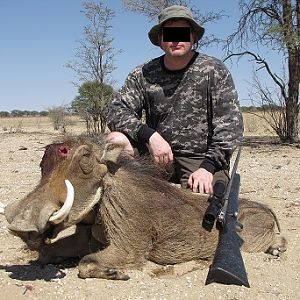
column 214, row 207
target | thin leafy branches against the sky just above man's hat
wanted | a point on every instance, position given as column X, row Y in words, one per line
column 152, row 8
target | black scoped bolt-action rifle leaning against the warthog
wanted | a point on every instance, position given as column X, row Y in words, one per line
column 228, row 265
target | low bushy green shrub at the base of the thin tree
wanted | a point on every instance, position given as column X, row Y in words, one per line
column 92, row 103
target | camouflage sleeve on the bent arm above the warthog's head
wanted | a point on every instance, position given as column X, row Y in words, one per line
column 125, row 111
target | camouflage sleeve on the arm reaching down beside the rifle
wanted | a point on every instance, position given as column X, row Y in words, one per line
column 227, row 121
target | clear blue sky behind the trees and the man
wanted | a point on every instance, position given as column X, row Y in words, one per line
column 38, row 38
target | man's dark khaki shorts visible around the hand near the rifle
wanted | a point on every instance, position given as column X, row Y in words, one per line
column 183, row 167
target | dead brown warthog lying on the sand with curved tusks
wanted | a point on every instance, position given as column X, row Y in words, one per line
column 125, row 213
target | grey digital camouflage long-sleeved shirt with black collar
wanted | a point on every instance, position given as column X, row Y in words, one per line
column 194, row 109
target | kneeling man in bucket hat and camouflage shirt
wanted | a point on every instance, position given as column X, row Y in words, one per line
column 192, row 117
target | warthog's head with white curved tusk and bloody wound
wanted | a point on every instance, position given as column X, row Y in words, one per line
column 70, row 186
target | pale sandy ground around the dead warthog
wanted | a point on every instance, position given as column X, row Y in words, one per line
column 270, row 174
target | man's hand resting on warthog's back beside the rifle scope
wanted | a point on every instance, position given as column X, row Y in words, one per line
column 201, row 181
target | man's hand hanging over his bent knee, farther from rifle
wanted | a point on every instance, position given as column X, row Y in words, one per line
column 160, row 149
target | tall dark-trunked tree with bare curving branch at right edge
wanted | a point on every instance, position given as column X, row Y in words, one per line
column 274, row 24
